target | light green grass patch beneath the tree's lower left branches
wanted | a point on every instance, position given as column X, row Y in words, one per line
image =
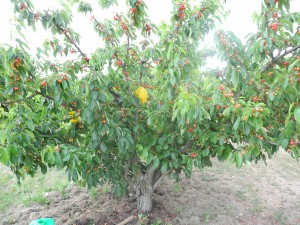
column 32, row 190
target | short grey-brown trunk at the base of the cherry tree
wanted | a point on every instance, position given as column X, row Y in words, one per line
column 144, row 193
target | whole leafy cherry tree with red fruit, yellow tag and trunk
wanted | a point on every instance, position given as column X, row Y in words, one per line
column 139, row 107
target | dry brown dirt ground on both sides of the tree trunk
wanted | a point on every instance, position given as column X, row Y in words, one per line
column 254, row 195
